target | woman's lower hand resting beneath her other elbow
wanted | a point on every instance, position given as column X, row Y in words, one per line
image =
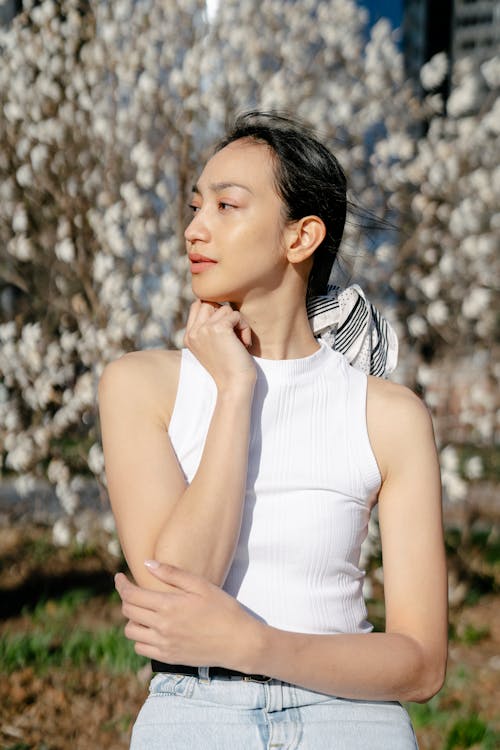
column 194, row 622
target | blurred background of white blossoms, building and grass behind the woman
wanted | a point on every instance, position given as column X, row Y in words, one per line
column 108, row 111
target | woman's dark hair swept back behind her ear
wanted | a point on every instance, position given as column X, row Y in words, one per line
column 309, row 180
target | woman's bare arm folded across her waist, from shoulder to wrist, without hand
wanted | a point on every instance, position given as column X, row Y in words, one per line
column 408, row 661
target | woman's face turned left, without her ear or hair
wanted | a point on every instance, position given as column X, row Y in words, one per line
column 237, row 226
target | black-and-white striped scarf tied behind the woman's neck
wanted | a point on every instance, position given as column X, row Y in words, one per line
column 350, row 324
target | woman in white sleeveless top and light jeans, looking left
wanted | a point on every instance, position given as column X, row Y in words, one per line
column 242, row 472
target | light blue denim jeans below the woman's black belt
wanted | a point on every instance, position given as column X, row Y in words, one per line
column 197, row 713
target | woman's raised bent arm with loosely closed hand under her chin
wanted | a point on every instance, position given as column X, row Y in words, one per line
column 193, row 526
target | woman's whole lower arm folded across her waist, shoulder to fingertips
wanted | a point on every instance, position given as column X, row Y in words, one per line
column 199, row 624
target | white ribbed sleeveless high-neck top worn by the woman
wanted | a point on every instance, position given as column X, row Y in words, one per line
column 311, row 483
